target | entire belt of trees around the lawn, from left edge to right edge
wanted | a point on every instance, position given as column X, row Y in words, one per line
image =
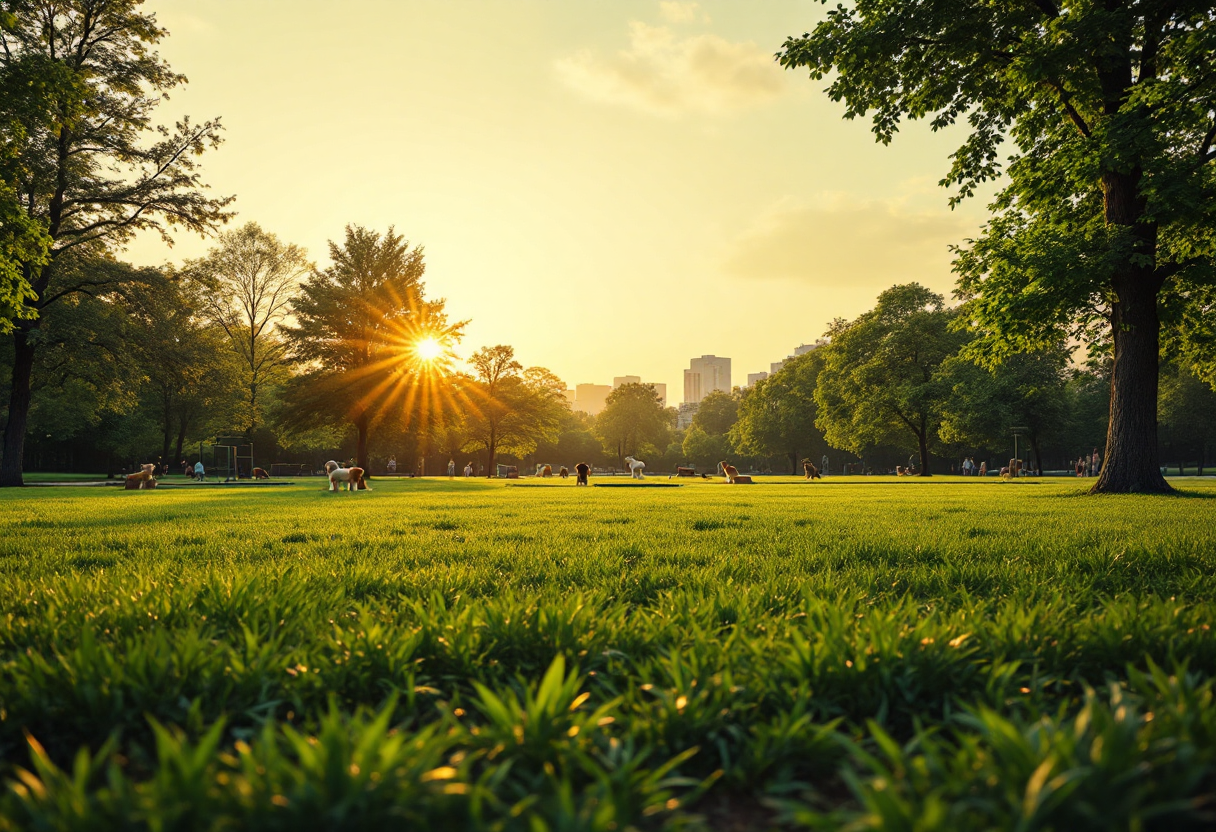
column 1085, row 317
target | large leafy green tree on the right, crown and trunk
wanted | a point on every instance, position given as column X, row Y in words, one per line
column 1111, row 198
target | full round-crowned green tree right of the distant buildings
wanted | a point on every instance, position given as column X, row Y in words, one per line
column 880, row 384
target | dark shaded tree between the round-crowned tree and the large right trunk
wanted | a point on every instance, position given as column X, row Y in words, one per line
column 986, row 404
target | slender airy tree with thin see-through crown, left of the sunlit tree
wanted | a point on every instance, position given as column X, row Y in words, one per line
column 251, row 279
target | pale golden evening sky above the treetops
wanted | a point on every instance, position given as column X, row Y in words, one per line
column 610, row 187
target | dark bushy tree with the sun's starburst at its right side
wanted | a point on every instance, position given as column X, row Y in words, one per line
column 358, row 328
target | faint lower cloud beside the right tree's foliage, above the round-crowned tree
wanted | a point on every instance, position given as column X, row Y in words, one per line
column 838, row 241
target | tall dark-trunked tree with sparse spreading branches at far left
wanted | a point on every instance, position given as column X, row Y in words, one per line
column 87, row 173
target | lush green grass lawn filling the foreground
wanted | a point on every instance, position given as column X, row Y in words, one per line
column 880, row 655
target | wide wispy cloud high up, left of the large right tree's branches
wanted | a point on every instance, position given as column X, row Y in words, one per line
column 668, row 75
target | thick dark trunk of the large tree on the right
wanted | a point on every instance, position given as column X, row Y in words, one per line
column 1131, row 464
